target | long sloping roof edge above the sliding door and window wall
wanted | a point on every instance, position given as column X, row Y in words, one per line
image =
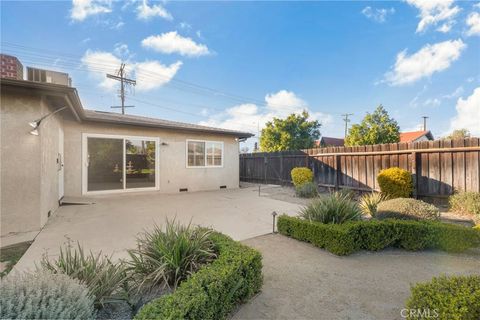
column 110, row 117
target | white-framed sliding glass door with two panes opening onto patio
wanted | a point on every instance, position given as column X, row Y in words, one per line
column 116, row 163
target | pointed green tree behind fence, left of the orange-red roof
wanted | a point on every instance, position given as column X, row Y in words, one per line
column 377, row 127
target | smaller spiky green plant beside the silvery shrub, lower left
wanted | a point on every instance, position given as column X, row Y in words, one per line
column 103, row 278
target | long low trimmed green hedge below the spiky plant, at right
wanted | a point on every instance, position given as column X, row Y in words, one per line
column 374, row 235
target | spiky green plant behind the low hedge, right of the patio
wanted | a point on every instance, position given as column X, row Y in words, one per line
column 335, row 208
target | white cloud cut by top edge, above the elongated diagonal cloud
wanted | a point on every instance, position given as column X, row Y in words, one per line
column 433, row 12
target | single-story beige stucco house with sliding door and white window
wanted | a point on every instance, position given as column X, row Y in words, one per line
column 77, row 152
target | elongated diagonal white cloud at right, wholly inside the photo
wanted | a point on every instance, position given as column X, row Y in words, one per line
column 425, row 62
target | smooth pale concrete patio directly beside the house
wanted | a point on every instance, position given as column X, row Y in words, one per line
column 112, row 222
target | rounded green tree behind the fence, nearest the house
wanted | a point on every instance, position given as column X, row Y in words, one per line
column 293, row 133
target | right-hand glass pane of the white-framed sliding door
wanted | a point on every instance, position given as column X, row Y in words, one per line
column 140, row 163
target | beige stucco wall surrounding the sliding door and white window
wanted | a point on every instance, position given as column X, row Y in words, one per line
column 173, row 173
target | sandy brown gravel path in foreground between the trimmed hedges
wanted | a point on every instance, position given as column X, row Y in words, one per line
column 305, row 282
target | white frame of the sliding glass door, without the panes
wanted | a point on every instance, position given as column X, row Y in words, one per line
column 85, row 137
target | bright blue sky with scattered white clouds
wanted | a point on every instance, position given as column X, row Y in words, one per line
column 237, row 64
